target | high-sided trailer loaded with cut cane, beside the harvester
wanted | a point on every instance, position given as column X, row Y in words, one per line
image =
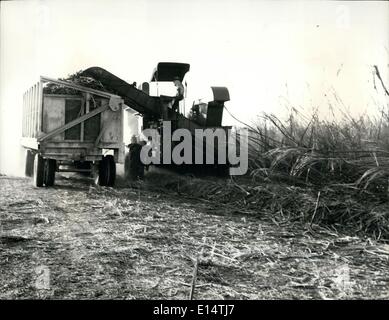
column 80, row 132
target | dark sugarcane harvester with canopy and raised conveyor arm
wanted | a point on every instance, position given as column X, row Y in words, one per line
column 156, row 108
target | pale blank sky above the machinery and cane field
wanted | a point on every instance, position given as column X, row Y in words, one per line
column 270, row 54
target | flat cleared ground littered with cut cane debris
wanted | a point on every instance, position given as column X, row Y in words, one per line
column 76, row 240
